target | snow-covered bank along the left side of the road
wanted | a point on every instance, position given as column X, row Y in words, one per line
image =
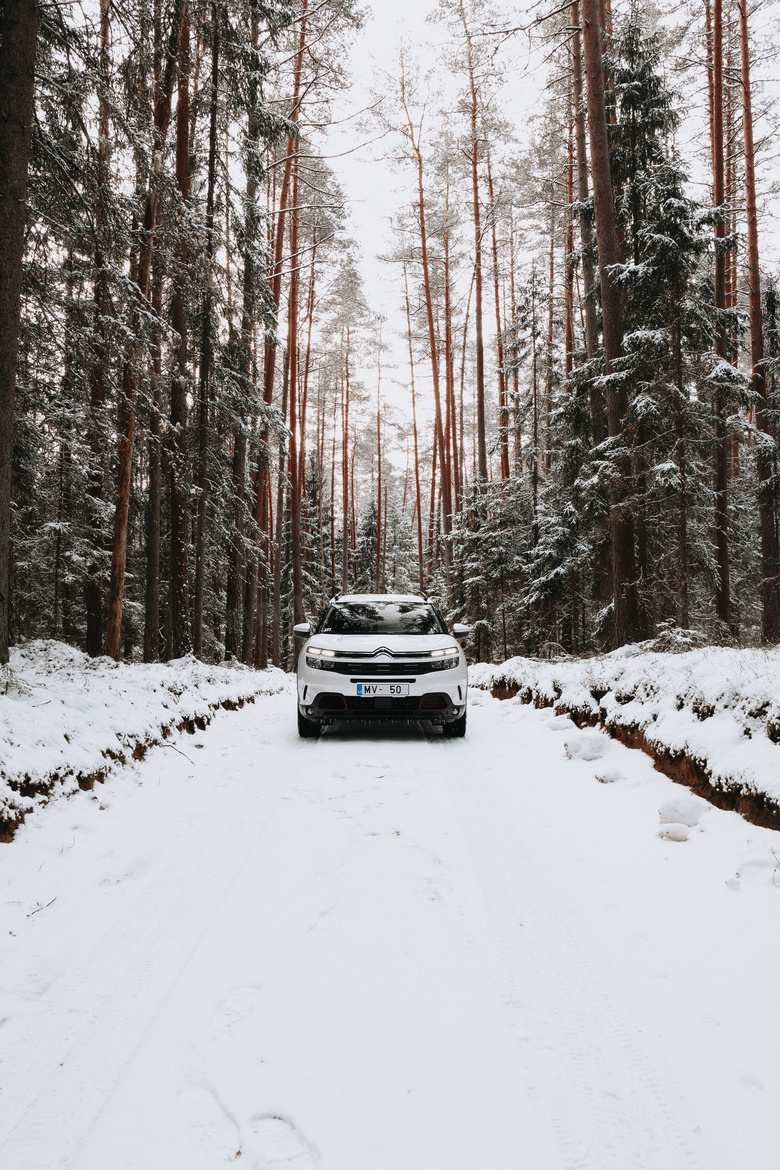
column 67, row 720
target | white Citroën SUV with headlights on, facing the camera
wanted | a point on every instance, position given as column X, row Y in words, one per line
column 382, row 657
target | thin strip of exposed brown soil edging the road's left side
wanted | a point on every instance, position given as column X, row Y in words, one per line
column 133, row 749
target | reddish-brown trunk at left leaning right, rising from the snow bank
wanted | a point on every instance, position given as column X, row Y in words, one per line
column 132, row 370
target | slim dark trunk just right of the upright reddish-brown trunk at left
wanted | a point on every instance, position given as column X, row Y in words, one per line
column 206, row 348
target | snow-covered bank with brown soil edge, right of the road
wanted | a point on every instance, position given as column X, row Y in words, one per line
column 709, row 718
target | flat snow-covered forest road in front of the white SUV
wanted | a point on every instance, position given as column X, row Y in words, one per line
column 385, row 951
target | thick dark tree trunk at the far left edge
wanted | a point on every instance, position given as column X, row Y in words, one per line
column 18, row 52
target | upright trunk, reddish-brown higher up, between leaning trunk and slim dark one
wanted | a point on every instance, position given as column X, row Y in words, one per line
column 178, row 600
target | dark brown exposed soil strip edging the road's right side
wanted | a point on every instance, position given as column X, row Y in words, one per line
column 755, row 807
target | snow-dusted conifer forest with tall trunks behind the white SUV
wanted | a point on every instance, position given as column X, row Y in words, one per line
column 563, row 422
